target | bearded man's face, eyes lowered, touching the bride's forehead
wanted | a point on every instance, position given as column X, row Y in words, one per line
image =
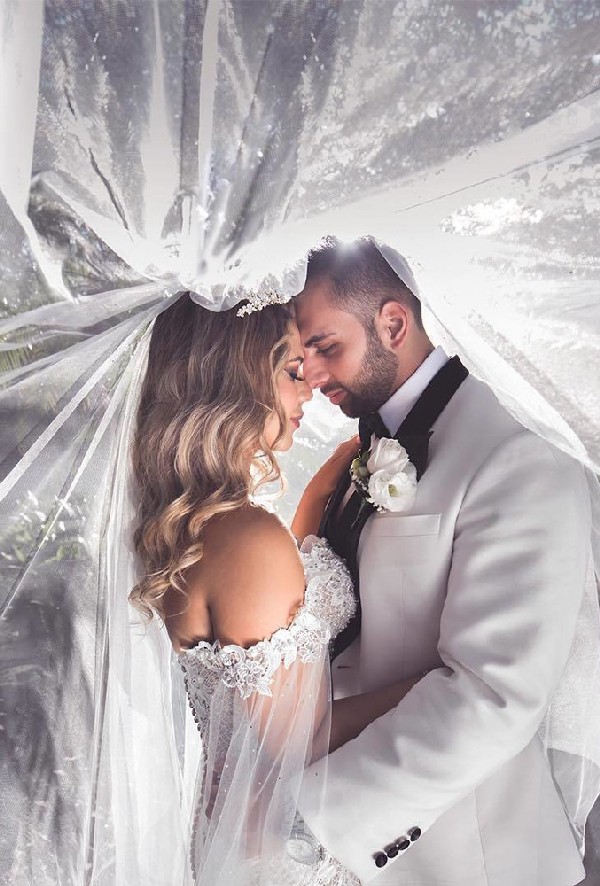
column 343, row 358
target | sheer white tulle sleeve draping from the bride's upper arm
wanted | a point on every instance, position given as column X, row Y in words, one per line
column 259, row 748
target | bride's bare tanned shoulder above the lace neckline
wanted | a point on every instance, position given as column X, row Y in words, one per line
column 251, row 576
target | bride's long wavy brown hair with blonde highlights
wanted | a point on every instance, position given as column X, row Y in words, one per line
column 209, row 388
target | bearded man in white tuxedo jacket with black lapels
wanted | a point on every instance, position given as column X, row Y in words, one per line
column 475, row 584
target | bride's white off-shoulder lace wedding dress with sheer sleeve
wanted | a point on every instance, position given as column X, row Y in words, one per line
column 263, row 713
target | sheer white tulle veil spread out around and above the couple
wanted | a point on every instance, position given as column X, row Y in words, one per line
column 149, row 148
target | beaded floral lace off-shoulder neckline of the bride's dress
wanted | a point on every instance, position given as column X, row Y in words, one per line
column 327, row 608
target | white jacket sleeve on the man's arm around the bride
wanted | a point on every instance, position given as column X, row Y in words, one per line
column 515, row 588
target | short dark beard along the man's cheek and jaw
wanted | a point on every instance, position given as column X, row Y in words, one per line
column 375, row 382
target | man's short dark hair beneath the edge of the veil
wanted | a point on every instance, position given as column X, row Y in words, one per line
column 360, row 277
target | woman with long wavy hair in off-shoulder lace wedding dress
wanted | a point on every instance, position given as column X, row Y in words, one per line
column 250, row 616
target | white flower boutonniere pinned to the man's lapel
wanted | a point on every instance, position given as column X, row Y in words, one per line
column 385, row 476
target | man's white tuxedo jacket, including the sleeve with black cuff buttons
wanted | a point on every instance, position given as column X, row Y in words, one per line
column 480, row 584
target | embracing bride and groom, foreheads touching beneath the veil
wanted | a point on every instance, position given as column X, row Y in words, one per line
column 435, row 593
